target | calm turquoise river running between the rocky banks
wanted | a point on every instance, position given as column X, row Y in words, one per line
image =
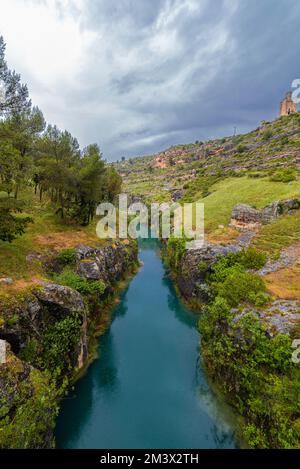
column 147, row 389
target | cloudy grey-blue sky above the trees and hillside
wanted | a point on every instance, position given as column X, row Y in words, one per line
column 138, row 75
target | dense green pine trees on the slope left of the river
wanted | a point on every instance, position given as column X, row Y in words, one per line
column 50, row 161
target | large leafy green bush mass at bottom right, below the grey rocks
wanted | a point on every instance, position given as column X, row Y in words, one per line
column 256, row 373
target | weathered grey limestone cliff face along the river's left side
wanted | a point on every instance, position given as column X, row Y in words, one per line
column 48, row 313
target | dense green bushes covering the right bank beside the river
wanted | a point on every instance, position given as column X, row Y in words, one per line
column 253, row 368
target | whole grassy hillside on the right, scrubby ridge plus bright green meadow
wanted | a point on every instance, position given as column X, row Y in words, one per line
column 256, row 168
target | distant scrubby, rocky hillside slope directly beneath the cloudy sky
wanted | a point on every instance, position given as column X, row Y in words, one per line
column 192, row 169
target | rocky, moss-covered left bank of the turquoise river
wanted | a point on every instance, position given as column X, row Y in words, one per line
column 50, row 330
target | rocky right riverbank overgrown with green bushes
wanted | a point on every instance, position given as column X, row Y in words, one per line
column 245, row 355
